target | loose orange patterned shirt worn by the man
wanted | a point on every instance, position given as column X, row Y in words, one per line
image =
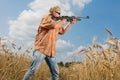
column 46, row 37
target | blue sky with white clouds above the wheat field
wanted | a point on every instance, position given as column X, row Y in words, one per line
column 17, row 17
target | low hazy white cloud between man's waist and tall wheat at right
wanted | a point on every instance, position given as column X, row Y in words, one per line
column 67, row 52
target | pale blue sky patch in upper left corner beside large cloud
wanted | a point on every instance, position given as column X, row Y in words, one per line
column 10, row 9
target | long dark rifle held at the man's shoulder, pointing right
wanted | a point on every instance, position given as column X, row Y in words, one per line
column 69, row 18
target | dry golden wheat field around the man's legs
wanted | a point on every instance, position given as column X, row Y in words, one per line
column 99, row 64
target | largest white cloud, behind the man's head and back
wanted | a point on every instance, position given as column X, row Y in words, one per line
column 26, row 24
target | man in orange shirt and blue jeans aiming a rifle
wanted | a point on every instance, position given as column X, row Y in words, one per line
column 45, row 43
